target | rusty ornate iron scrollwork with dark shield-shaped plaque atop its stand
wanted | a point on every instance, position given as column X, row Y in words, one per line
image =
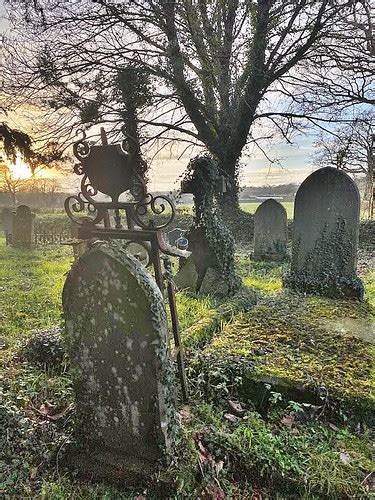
column 108, row 169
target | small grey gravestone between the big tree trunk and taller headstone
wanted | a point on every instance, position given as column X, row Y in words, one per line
column 270, row 231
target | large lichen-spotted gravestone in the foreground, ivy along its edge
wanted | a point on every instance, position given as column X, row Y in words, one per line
column 116, row 336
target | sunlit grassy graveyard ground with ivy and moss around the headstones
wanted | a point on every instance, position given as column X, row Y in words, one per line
column 300, row 368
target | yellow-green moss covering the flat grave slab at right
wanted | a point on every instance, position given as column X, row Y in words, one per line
column 283, row 346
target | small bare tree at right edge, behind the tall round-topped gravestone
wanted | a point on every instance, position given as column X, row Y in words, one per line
column 351, row 148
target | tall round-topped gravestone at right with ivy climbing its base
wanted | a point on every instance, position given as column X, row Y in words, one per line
column 325, row 236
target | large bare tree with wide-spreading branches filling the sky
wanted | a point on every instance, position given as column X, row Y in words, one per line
column 218, row 67
